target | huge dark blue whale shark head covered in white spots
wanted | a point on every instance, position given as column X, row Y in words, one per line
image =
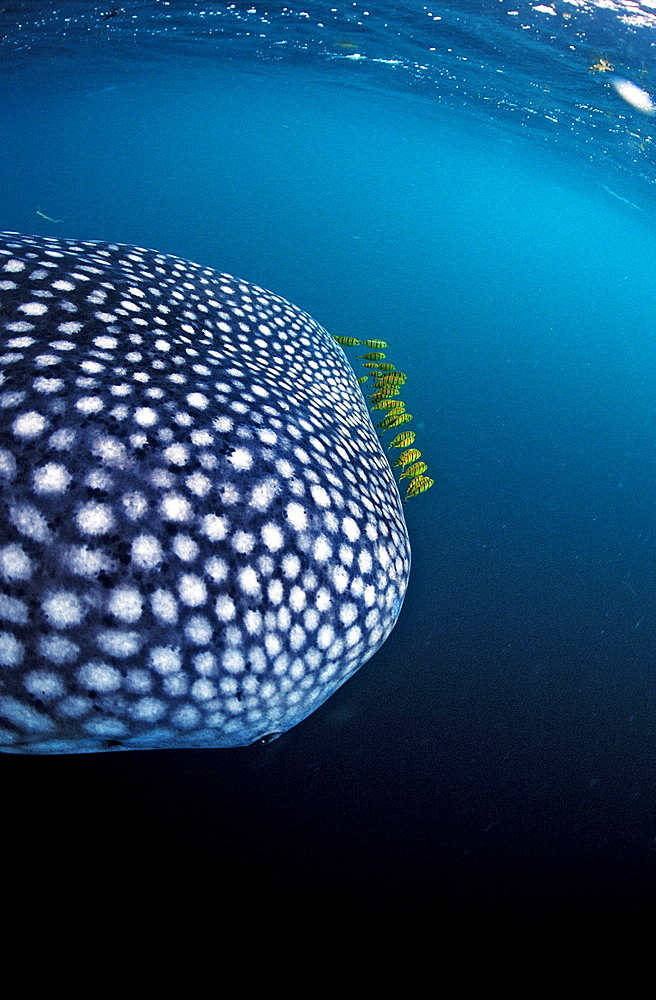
column 201, row 538
